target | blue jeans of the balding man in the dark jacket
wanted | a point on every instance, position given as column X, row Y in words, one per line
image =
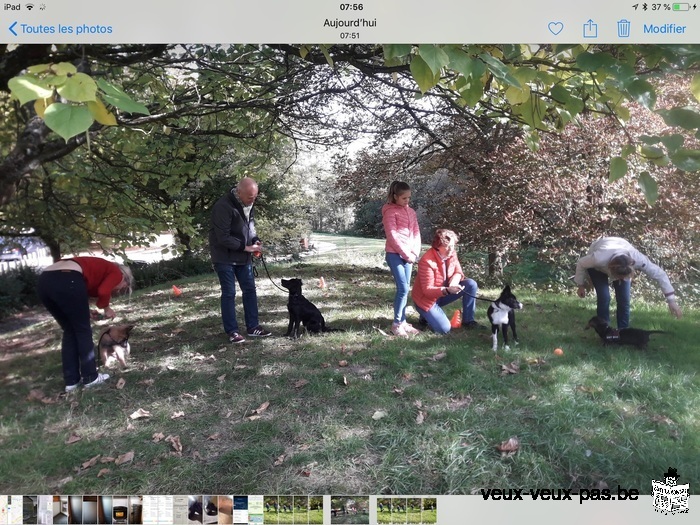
column 228, row 274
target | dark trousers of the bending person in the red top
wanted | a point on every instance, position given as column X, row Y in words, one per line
column 65, row 296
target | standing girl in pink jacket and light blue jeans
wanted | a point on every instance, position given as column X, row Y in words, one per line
column 402, row 249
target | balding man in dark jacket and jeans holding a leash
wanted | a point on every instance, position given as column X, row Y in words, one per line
column 232, row 242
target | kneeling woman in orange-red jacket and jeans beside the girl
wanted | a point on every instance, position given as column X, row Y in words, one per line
column 440, row 281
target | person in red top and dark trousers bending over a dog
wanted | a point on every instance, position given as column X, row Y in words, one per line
column 65, row 288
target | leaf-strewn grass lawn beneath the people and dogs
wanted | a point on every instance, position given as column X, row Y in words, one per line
column 351, row 412
